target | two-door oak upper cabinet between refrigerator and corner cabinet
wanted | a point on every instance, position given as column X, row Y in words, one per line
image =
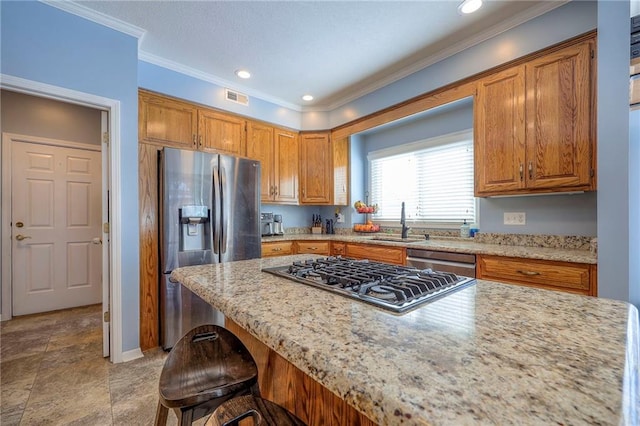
column 277, row 151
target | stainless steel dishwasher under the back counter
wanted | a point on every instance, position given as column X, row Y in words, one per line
column 458, row 263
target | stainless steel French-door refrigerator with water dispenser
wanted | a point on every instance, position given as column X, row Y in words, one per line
column 209, row 213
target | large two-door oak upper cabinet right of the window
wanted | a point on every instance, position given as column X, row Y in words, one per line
column 533, row 125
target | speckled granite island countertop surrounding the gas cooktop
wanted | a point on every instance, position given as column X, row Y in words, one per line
column 490, row 353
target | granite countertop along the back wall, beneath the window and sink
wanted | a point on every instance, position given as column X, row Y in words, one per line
column 459, row 245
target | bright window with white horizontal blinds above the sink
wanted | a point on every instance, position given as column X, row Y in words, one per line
column 433, row 177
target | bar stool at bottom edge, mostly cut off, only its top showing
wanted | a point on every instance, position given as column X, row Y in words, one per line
column 261, row 411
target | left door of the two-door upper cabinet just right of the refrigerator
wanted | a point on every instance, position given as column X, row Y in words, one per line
column 260, row 147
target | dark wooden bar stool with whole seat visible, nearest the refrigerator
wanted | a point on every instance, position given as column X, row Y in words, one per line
column 207, row 366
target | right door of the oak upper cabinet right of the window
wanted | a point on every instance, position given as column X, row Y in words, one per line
column 559, row 133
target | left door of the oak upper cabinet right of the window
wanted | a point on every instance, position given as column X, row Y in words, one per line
column 499, row 141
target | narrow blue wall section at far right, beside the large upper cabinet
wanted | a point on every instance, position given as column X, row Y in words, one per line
column 615, row 183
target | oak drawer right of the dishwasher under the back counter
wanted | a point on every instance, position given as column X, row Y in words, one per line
column 571, row 277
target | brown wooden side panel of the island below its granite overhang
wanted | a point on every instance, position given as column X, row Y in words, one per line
column 285, row 384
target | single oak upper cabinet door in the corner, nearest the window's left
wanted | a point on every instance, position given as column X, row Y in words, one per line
column 315, row 168
